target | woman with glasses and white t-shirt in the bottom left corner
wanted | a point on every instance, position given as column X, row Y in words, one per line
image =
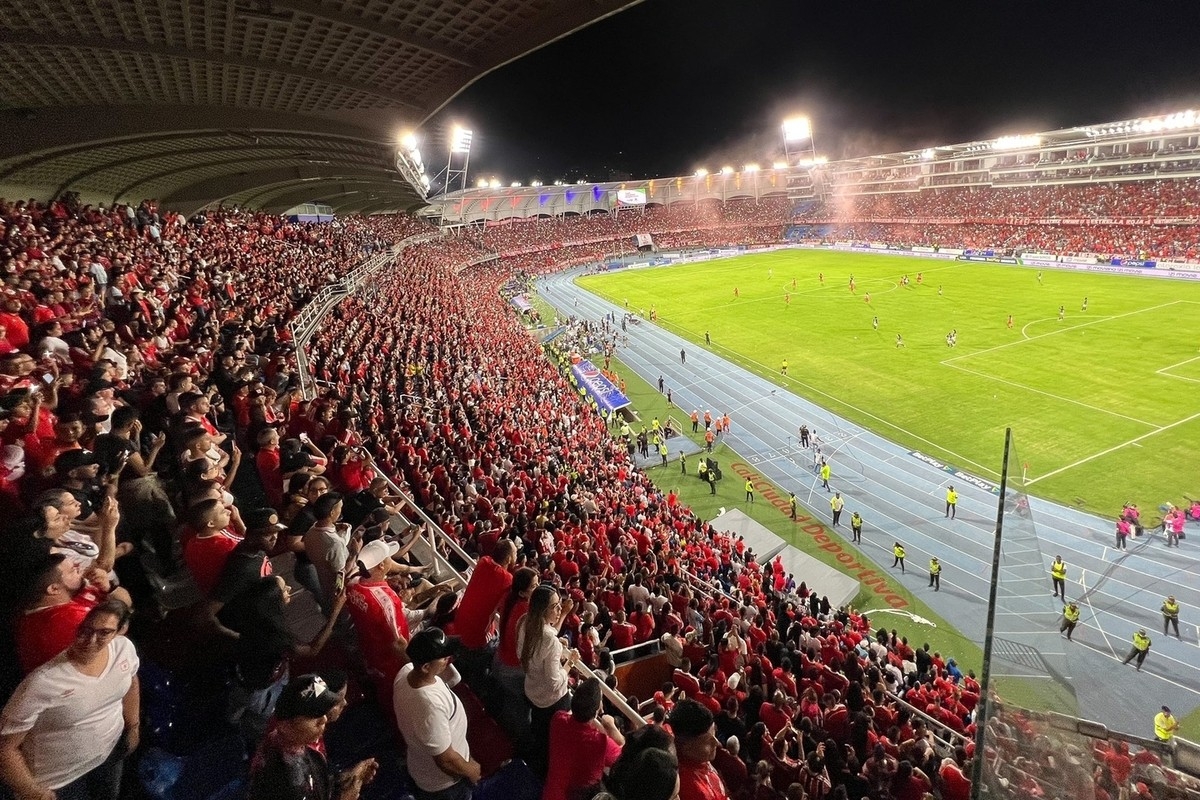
column 70, row 725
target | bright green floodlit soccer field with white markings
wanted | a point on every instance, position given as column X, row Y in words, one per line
column 1103, row 402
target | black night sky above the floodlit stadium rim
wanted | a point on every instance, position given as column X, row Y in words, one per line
column 671, row 86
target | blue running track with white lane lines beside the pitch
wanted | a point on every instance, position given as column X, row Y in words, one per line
column 903, row 500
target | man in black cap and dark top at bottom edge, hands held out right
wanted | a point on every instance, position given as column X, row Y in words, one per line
column 289, row 766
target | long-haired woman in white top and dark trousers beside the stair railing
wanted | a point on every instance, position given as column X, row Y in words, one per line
column 548, row 665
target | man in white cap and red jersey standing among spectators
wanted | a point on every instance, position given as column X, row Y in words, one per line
column 379, row 616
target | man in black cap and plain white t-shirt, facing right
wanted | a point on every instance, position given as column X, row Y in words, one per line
column 434, row 721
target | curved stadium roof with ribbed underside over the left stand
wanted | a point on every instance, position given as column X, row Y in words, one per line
column 260, row 103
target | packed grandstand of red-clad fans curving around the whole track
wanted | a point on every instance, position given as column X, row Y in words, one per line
column 149, row 374
